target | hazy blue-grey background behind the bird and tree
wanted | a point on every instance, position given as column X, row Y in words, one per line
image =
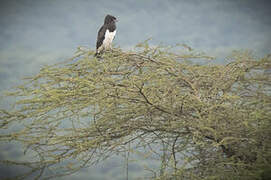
column 34, row 33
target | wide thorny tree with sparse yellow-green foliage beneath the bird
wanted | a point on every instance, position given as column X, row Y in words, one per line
column 207, row 121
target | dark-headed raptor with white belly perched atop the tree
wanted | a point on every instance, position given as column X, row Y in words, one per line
column 106, row 34
